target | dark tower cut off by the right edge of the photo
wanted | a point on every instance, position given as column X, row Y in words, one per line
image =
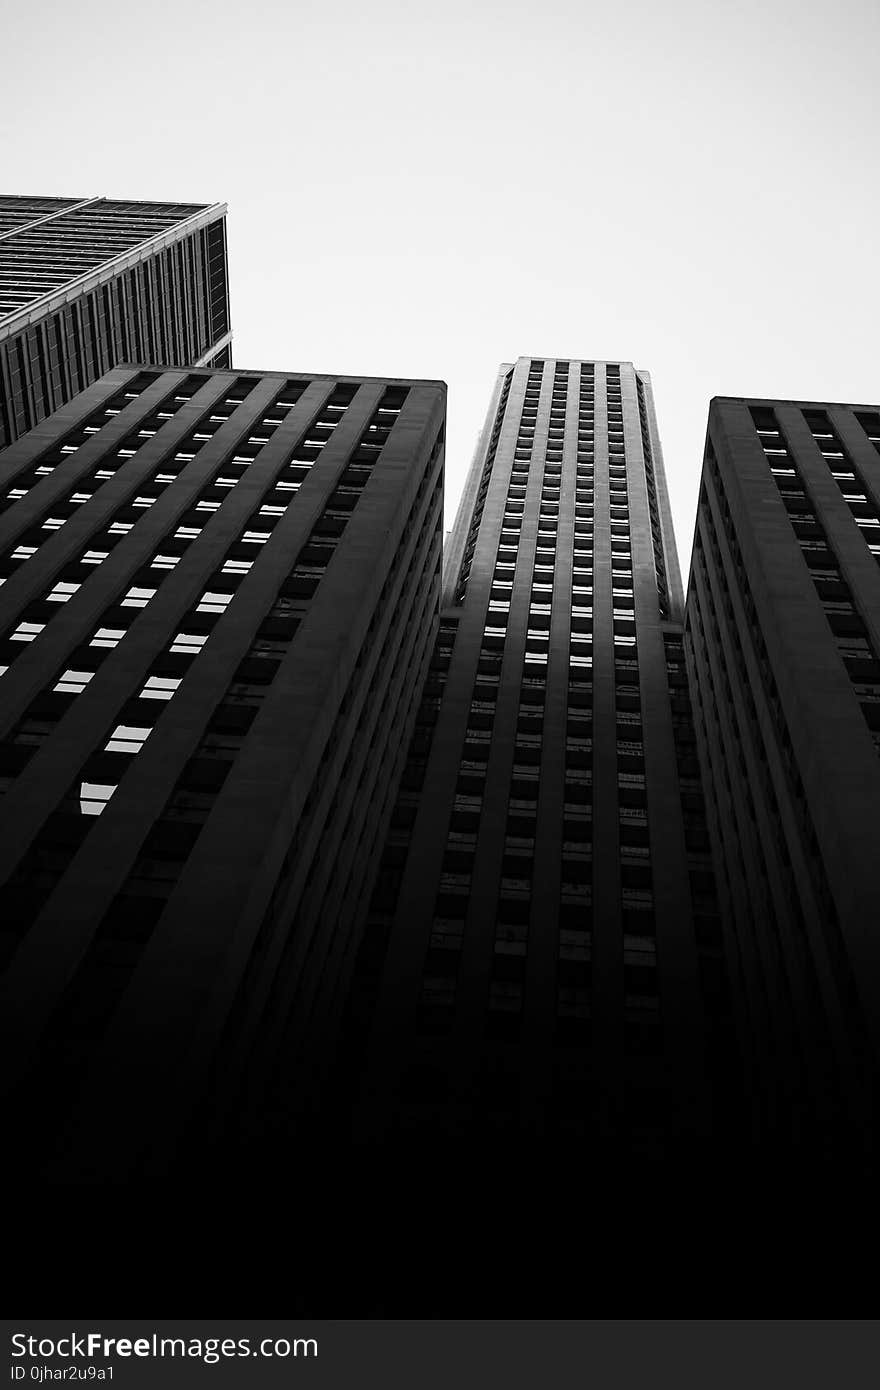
column 783, row 647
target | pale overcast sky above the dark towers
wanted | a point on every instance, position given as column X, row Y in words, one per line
column 427, row 191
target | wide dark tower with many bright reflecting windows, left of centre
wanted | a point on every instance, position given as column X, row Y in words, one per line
column 219, row 601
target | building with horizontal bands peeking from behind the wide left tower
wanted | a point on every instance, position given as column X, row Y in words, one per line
column 87, row 284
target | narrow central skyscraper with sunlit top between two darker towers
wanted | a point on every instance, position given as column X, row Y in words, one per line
column 544, row 953
